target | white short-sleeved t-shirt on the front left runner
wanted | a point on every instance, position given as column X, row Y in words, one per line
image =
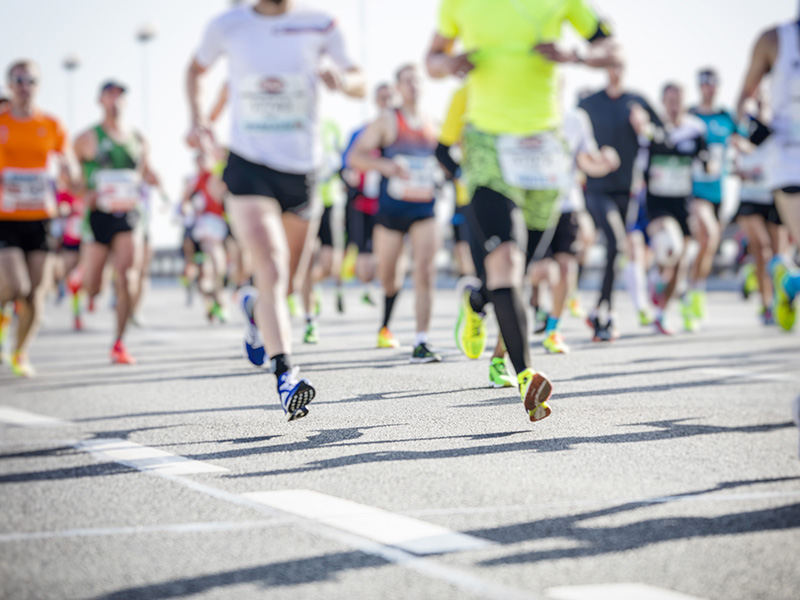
column 273, row 77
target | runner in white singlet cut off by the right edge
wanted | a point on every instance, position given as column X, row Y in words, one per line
column 777, row 52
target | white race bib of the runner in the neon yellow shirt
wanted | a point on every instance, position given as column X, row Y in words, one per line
column 533, row 163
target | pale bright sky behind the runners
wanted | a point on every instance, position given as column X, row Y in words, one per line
column 664, row 40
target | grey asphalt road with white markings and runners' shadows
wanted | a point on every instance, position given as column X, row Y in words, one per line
column 667, row 463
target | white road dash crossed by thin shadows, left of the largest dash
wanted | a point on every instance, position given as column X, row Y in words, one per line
column 144, row 458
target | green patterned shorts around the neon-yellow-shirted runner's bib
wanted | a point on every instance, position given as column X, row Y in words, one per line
column 482, row 169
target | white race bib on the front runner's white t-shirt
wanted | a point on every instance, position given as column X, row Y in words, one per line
column 273, row 104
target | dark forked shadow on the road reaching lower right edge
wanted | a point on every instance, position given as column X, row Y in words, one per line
column 589, row 541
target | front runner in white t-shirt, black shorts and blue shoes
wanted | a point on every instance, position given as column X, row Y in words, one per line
column 273, row 51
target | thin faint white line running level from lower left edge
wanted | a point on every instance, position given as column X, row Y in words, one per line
column 211, row 527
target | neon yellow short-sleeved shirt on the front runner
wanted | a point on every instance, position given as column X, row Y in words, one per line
column 512, row 89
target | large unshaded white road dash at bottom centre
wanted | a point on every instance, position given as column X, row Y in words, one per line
column 406, row 533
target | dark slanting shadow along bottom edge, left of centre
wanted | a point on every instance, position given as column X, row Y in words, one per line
column 295, row 572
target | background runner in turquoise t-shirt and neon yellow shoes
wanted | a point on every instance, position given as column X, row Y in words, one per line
column 705, row 206
